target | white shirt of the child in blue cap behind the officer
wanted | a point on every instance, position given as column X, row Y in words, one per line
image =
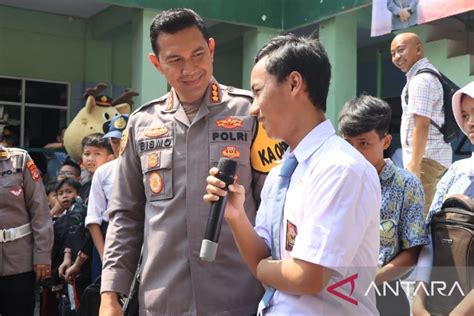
column 101, row 190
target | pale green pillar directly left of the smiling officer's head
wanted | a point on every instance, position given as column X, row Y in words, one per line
column 145, row 77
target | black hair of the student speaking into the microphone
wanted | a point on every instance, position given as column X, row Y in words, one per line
column 287, row 53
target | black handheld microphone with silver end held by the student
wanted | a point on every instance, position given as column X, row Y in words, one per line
column 227, row 169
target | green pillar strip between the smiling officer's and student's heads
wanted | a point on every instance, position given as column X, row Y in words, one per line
column 253, row 40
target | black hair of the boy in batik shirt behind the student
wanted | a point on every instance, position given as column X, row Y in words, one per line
column 364, row 114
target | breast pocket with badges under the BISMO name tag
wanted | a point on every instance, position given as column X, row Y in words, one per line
column 157, row 169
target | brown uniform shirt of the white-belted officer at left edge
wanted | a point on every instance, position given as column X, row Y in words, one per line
column 23, row 200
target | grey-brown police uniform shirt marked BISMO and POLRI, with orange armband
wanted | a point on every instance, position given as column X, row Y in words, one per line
column 161, row 178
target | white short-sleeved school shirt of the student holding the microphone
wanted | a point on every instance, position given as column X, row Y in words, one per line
column 333, row 207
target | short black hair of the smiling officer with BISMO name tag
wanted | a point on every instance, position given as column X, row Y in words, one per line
column 172, row 21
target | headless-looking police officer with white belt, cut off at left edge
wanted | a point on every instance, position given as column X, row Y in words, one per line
column 26, row 232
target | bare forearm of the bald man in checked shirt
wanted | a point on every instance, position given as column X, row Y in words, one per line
column 420, row 139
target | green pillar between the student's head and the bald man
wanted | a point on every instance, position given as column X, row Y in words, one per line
column 339, row 37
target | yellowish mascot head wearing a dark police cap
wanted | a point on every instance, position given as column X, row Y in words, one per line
column 95, row 117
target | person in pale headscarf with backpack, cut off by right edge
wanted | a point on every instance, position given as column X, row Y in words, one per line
column 459, row 179
